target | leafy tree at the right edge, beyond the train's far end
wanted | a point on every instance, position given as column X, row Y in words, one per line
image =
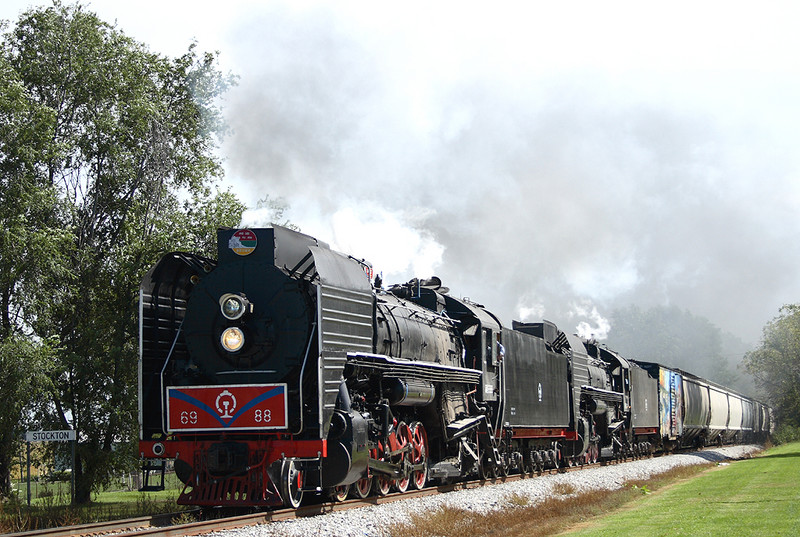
column 775, row 365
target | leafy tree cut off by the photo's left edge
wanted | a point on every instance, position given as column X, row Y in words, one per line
column 33, row 247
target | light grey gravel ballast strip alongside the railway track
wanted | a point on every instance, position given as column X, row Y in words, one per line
column 371, row 521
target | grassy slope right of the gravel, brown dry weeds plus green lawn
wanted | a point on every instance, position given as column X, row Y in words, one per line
column 754, row 497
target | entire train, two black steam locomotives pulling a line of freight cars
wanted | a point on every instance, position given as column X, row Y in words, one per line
column 279, row 369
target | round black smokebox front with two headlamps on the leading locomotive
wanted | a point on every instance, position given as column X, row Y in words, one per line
column 248, row 322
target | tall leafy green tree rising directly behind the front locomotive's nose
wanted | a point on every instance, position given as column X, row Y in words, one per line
column 130, row 134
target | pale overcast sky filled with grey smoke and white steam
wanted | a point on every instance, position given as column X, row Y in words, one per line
column 547, row 159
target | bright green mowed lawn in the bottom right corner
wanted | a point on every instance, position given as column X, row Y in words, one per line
column 754, row 497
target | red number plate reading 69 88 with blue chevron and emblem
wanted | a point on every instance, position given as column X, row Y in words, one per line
column 238, row 407
